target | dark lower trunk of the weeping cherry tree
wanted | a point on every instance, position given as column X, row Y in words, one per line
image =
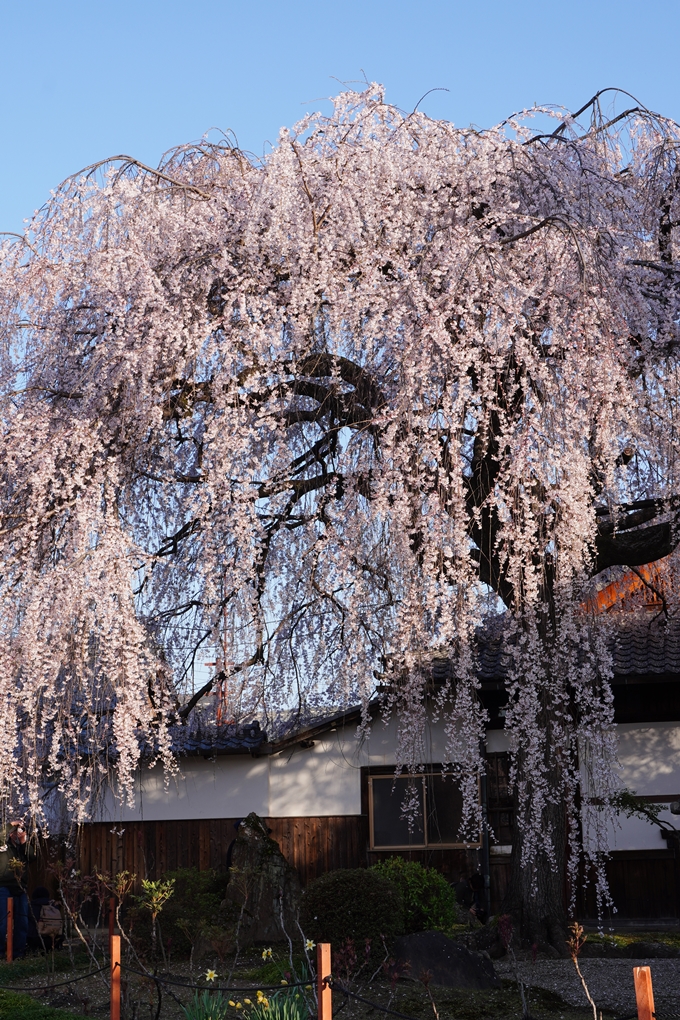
column 537, row 898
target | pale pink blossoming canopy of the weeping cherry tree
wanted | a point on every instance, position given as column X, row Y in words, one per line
column 335, row 411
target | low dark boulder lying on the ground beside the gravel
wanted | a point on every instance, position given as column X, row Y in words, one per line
column 447, row 962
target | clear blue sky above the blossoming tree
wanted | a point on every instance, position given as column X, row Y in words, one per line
column 83, row 81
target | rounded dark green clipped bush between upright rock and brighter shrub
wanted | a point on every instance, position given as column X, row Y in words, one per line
column 356, row 904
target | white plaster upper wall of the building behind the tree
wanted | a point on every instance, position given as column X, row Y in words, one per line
column 326, row 780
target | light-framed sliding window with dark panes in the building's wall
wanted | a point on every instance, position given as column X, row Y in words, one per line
column 437, row 809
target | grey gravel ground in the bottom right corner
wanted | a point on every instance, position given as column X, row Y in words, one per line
column 610, row 982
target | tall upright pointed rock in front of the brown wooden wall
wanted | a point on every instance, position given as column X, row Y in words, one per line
column 265, row 890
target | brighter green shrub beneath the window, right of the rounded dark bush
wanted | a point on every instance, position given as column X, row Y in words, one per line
column 430, row 902
